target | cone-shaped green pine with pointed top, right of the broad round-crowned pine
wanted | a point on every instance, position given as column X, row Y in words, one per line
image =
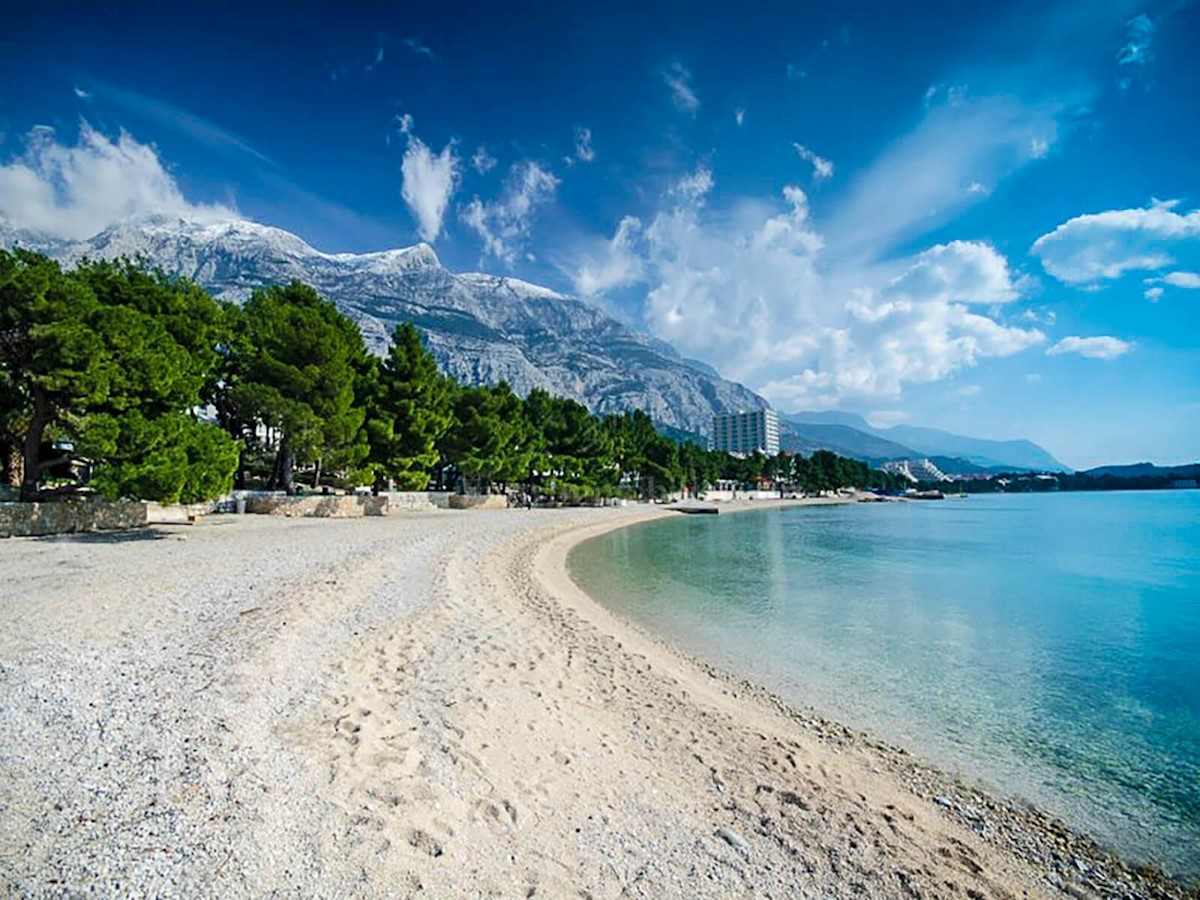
column 410, row 411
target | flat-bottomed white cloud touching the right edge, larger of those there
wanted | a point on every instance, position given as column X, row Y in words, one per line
column 1103, row 247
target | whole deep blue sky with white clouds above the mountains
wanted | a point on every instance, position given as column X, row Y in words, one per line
column 975, row 217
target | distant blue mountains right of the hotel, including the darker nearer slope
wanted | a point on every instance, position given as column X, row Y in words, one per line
column 851, row 435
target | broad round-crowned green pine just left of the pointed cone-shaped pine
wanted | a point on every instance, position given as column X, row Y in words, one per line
column 293, row 369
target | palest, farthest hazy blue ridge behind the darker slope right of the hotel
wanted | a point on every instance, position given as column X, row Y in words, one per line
column 919, row 442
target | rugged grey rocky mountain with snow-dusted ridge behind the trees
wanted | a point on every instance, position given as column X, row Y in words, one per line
column 481, row 328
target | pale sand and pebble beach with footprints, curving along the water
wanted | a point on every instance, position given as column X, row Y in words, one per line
column 427, row 705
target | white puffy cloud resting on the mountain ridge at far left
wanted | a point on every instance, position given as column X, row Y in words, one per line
column 75, row 193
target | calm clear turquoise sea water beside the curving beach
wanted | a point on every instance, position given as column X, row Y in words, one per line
column 1047, row 646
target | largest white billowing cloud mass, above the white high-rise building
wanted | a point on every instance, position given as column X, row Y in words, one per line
column 749, row 289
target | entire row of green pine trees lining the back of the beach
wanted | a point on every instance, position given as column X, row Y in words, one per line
column 172, row 395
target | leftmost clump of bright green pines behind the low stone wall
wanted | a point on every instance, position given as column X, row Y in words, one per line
column 110, row 357
